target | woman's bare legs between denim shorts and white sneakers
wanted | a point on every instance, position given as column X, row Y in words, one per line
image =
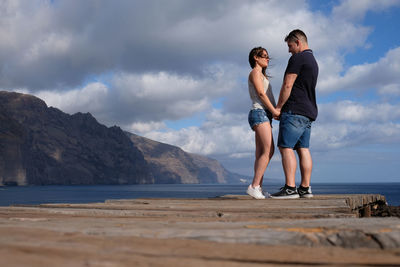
column 264, row 151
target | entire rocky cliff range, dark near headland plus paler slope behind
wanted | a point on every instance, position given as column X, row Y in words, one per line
column 42, row 145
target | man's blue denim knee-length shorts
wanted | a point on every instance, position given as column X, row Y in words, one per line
column 294, row 131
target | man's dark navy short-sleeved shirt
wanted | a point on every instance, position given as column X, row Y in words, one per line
column 302, row 99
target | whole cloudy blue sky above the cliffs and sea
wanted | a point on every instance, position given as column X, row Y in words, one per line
column 176, row 71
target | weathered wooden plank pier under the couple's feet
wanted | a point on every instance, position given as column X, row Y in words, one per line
column 231, row 230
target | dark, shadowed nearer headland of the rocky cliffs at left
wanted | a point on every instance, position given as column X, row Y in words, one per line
column 41, row 145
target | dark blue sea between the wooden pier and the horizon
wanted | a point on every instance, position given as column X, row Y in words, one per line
column 32, row 195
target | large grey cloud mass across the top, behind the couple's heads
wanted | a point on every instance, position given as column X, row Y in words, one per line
column 52, row 46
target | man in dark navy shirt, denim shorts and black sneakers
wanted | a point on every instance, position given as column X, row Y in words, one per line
column 298, row 107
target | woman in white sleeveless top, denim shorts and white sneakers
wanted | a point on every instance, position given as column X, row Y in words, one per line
column 260, row 117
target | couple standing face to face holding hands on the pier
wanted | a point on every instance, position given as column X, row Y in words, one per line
column 296, row 110
